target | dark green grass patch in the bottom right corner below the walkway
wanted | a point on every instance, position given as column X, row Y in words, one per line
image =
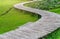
column 54, row 35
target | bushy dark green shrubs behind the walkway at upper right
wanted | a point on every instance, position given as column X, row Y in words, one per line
column 48, row 4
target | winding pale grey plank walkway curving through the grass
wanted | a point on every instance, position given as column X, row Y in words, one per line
column 45, row 25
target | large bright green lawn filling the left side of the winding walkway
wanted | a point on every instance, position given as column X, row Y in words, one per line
column 14, row 17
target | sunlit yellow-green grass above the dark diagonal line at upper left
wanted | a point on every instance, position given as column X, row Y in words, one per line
column 6, row 4
